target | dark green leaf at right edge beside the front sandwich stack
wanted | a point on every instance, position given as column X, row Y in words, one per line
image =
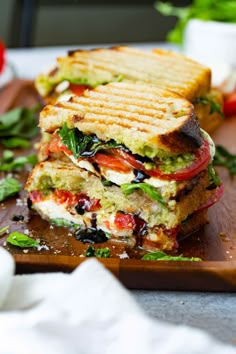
column 224, row 158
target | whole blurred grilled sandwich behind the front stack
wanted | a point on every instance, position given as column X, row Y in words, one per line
column 83, row 69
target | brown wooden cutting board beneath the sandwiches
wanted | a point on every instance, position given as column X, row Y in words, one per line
column 215, row 243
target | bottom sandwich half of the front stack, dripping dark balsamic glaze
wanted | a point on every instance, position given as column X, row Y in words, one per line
column 145, row 216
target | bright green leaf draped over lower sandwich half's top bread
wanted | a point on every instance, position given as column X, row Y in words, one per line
column 128, row 188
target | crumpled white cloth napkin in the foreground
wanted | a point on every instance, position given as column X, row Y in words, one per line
column 85, row 312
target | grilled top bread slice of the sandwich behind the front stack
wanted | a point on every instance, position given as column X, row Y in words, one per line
column 98, row 66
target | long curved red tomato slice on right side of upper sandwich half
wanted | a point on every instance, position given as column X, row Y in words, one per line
column 200, row 162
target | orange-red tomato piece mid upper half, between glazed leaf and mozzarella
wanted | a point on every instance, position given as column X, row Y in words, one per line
column 113, row 162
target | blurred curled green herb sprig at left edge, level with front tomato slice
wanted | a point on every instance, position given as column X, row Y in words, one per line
column 8, row 163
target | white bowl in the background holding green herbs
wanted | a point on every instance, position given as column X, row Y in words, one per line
column 213, row 44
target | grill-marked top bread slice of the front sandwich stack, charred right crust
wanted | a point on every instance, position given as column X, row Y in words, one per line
column 144, row 118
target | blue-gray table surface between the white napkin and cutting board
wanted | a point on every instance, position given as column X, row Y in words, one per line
column 214, row 313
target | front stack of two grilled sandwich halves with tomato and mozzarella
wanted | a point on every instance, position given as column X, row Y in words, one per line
column 126, row 162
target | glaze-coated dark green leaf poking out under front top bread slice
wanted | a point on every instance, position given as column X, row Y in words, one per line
column 84, row 145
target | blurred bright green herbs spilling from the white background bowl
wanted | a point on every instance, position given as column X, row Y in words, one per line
column 206, row 10
